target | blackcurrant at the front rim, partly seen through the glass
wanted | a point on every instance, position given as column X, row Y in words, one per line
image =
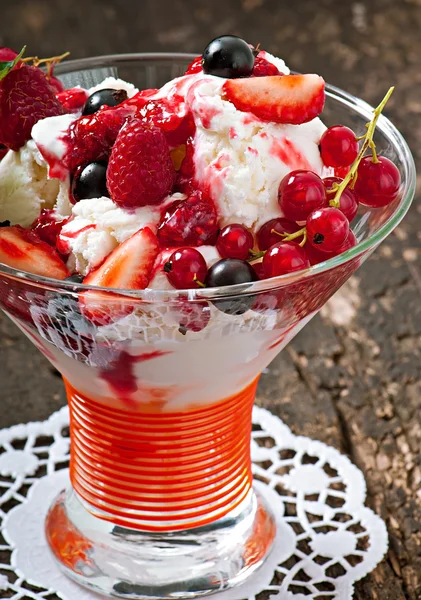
column 232, row 271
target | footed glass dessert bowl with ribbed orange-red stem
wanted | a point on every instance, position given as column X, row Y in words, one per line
column 161, row 385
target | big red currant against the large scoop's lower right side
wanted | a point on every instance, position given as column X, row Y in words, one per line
column 300, row 192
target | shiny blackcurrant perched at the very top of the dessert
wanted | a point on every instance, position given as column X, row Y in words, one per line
column 228, row 56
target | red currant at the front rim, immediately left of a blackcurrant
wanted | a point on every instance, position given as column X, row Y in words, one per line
column 185, row 268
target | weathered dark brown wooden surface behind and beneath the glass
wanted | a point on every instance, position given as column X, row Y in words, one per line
column 352, row 377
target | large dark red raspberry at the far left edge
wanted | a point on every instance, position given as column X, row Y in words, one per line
column 25, row 98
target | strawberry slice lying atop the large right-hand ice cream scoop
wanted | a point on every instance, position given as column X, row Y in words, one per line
column 292, row 99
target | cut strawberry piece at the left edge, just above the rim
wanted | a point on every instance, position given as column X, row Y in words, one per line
column 22, row 249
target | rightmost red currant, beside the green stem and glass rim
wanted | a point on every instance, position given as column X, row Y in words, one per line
column 377, row 183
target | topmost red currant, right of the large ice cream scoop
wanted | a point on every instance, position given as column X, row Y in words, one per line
column 338, row 146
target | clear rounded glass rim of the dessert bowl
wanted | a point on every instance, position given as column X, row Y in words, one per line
column 264, row 285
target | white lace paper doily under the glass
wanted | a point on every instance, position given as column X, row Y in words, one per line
column 327, row 539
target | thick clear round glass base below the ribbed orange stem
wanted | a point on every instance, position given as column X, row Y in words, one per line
column 128, row 563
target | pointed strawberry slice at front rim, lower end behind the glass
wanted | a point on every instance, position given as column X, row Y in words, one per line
column 128, row 267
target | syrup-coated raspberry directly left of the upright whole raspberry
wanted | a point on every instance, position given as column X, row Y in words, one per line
column 91, row 138
